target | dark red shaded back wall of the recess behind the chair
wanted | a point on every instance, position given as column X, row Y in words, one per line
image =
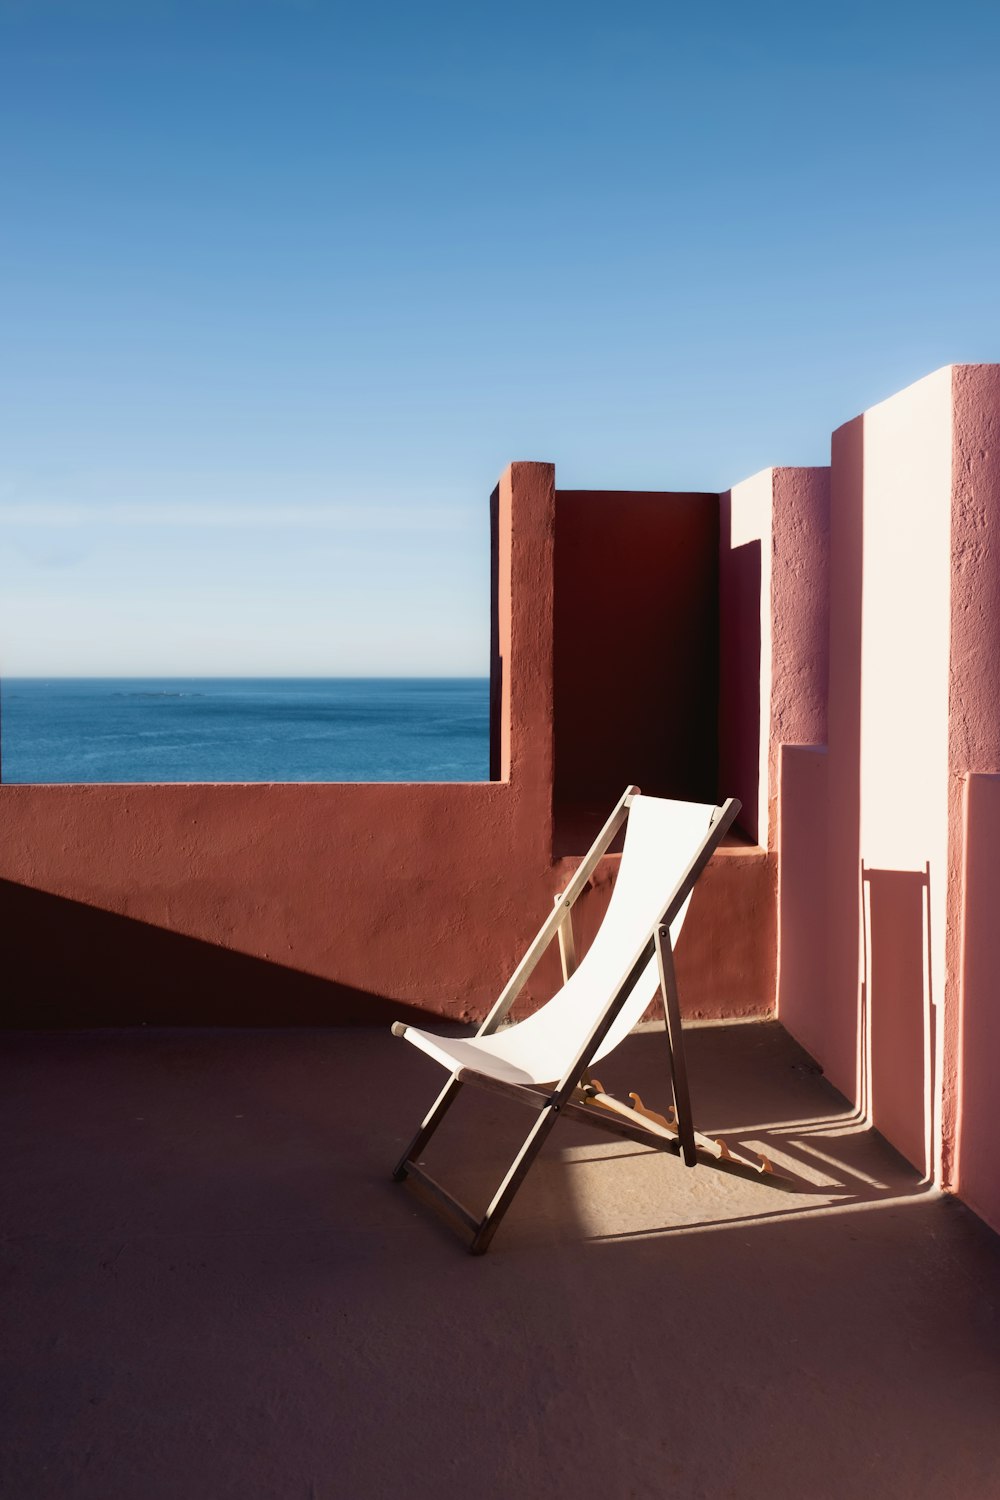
column 636, row 620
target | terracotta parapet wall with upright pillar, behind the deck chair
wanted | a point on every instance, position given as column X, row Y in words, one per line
column 344, row 902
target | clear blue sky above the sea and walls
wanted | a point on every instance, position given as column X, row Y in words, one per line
column 284, row 286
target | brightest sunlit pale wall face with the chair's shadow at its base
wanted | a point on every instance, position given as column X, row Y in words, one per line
column 906, row 593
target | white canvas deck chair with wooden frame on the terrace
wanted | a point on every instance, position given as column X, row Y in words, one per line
column 545, row 1060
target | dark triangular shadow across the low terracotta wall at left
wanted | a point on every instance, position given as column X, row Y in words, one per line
column 73, row 965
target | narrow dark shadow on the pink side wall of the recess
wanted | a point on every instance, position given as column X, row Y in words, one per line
column 740, row 673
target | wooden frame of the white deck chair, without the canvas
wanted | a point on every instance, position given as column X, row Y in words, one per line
column 572, row 1099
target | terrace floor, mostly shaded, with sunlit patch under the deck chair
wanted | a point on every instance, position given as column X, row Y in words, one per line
column 214, row 1289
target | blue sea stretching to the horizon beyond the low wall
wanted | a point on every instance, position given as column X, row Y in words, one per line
column 245, row 730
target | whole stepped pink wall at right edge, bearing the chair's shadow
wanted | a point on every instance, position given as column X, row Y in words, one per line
column 908, row 1022
